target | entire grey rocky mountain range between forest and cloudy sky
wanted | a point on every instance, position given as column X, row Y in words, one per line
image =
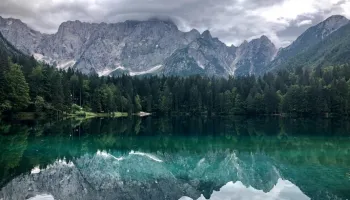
column 159, row 47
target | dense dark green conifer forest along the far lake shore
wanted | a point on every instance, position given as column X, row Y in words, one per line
column 29, row 86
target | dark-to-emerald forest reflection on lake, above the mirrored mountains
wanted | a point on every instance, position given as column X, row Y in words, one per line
column 314, row 145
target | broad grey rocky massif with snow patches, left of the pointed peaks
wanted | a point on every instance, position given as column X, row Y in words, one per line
column 134, row 45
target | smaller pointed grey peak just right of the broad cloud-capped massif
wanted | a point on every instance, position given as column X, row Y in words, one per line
column 205, row 55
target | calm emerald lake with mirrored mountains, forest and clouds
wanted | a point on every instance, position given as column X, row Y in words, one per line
column 176, row 158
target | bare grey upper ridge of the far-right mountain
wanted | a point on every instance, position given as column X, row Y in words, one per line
column 309, row 39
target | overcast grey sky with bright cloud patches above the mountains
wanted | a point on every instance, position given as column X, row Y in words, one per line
column 232, row 21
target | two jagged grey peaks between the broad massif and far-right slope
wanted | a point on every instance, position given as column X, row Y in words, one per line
column 211, row 57
